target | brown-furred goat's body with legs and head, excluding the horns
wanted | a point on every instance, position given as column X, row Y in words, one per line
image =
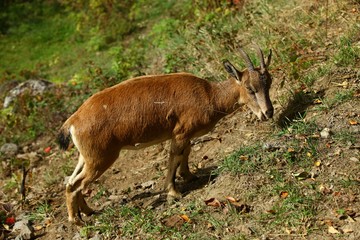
column 146, row 110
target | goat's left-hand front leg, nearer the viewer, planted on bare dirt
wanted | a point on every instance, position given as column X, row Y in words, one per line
column 177, row 153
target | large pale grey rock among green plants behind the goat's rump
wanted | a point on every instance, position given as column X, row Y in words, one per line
column 33, row 87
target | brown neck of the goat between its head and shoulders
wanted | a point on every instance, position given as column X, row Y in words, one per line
column 226, row 95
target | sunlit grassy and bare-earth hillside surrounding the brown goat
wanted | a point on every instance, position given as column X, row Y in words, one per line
column 296, row 176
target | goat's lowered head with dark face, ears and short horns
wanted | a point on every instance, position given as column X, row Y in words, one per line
column 254, row 84
